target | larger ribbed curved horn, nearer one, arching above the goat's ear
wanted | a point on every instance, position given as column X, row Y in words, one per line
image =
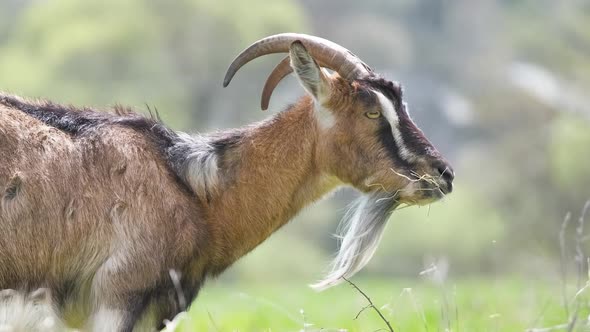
column 324, row 51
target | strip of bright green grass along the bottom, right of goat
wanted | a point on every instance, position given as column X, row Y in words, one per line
column 471, row 305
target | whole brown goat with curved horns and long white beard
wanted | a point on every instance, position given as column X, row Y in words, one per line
column 97, row 208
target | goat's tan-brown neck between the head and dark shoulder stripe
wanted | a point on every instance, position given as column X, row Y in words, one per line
column 277, row 174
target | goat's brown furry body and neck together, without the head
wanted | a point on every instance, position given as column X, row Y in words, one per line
column 100, row 217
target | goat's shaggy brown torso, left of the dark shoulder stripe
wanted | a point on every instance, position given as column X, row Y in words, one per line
column 79, row 217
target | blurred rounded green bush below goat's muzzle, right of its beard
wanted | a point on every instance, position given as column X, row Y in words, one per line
column 463, row 228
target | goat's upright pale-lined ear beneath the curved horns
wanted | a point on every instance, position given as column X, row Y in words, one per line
column 312, row 77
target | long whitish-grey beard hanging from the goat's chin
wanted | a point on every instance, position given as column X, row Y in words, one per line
column 360, row 231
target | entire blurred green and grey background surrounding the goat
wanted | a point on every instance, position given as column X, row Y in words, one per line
column 500, row 87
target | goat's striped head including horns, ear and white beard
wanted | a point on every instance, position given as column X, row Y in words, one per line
column 367, row 138
